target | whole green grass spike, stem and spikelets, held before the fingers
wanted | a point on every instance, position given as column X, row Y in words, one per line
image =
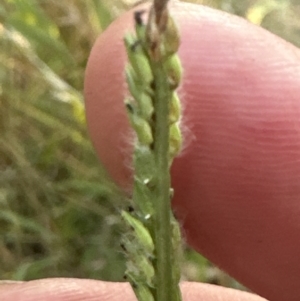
column 153, row 72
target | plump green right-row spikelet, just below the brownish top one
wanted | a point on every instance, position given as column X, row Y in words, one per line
column 173, row 68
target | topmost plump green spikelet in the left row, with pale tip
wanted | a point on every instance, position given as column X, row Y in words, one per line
column 138, row 59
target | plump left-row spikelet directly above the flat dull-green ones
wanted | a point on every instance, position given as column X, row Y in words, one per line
column 140, row 125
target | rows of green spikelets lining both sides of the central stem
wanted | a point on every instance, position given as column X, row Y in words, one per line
column 138, row 243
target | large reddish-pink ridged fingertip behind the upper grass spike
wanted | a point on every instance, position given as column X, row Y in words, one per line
column 237, row 180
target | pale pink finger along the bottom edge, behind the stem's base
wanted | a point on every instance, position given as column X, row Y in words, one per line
column 60, row 289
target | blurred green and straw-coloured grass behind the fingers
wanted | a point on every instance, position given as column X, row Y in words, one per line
column 58, row 209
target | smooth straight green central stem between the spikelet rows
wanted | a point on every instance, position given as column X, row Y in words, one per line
column 162, row 204
